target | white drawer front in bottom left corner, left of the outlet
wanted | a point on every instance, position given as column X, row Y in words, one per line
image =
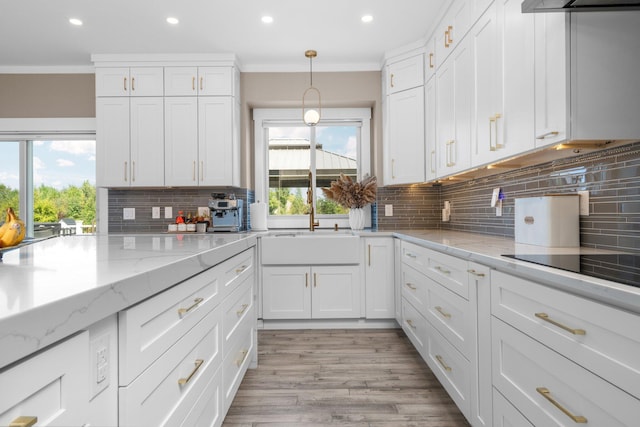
column 53, row 385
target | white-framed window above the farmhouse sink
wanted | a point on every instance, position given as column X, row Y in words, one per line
column 288, row 152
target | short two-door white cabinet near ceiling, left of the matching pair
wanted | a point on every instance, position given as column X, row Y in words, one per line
column 129, row 81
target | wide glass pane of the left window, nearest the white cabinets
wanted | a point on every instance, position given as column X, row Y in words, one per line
column 64, row 178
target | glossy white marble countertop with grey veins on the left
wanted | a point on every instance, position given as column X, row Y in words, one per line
column 56, row 287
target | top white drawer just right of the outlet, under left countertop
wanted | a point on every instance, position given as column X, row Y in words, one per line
column 148, row 329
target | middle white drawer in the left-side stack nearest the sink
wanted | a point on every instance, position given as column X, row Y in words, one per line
column 238, row 314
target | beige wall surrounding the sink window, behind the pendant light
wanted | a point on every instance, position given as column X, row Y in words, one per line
column 284, row 90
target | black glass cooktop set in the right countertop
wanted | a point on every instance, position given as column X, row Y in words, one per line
column 621, row 268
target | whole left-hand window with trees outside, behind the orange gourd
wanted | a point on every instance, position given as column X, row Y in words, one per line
column 50, row 184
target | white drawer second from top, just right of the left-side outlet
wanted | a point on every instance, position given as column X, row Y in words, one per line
column 174, row 379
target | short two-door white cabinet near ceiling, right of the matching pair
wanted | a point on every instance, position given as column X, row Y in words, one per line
column 203, row 81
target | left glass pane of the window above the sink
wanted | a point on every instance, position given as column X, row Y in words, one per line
column 289, row 162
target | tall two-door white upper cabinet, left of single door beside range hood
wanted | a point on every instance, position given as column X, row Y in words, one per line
column 503, row 79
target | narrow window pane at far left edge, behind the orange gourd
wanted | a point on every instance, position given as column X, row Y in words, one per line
column 9, row 177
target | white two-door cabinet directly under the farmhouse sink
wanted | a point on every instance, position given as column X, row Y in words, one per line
column 311, row 292
